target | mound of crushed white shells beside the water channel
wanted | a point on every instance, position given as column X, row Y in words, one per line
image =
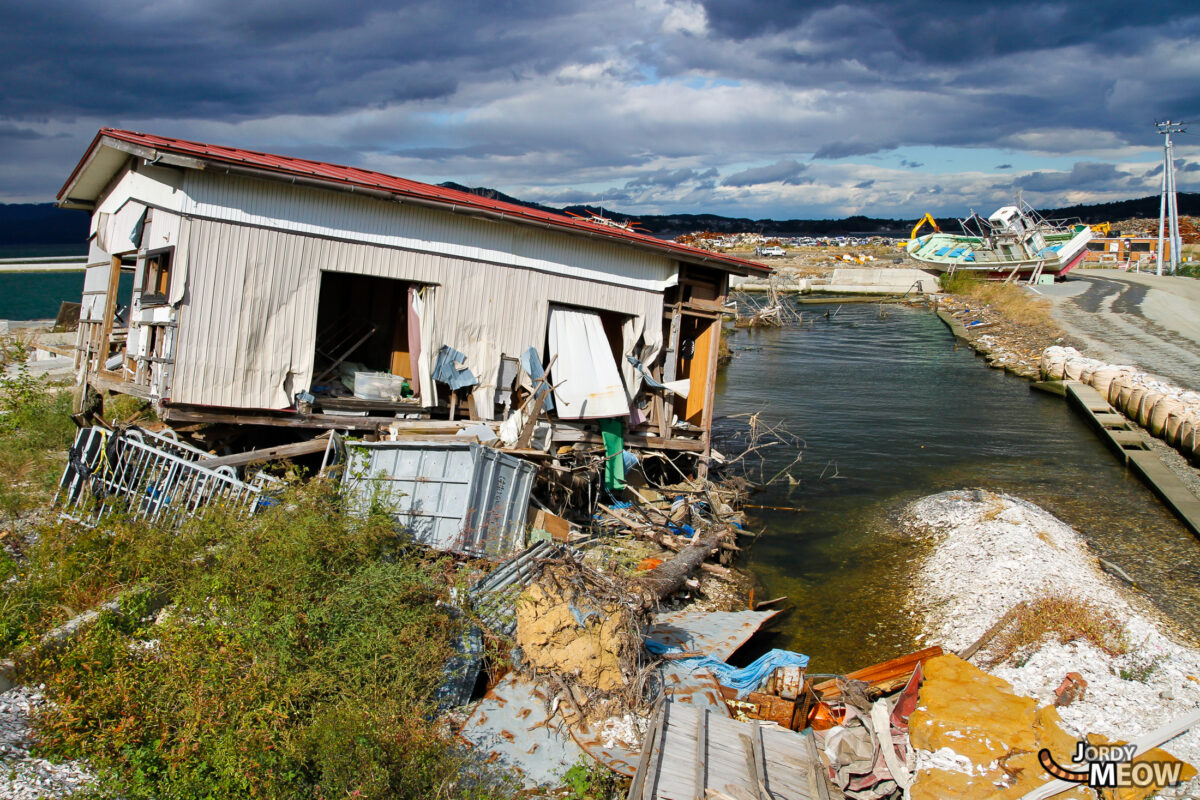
column 993, row 551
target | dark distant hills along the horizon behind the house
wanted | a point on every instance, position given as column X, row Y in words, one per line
column 44, row 230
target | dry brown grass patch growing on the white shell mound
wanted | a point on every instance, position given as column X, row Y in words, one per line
column 1061, row 619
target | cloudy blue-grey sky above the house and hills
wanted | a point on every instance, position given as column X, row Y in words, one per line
column 740, row 107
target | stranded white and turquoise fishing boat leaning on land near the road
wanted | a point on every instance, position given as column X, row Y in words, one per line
column 1013, row 243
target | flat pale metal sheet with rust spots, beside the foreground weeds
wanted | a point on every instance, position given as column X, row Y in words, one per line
column 512, row 727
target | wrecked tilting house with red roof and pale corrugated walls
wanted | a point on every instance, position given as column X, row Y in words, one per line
column 272, row 291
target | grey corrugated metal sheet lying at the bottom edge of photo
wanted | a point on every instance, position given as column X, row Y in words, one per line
column 694, row 754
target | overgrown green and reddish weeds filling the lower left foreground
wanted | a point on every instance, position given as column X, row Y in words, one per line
column 296, row 654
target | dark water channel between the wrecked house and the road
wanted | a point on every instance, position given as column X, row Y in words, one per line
column 891, row 411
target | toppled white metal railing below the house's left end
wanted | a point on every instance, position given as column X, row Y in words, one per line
column 151, row 477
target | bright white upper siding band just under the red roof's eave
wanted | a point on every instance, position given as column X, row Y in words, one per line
column 344, row 215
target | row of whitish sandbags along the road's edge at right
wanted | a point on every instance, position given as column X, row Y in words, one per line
column 1168, row 412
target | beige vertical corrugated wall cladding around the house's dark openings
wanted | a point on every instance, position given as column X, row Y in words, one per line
column 248, row 324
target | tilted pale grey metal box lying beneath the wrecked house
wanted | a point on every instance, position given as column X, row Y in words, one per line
column 452, row 496
